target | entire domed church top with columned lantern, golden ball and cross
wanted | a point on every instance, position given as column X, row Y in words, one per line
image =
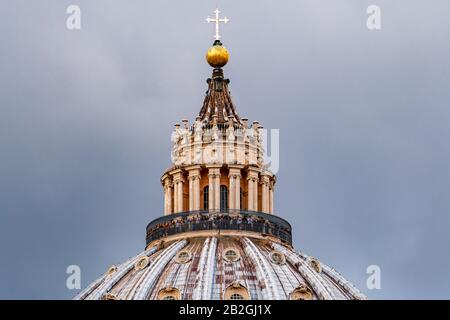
column 219, row 237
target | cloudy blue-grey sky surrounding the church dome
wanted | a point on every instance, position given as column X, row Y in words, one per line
column 86, row 117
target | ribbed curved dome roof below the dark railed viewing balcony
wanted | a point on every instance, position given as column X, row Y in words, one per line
column 220, row 267
